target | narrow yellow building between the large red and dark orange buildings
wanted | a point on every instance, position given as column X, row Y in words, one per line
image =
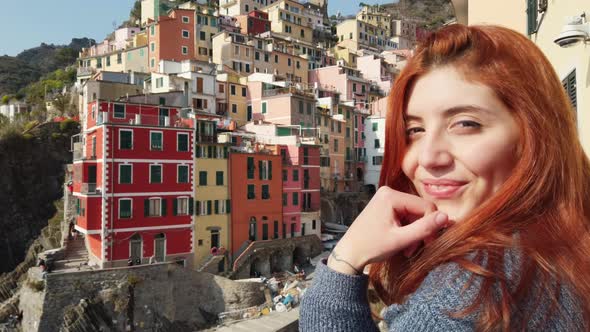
column 212, row 201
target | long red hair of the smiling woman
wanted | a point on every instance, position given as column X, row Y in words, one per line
column 546, row 200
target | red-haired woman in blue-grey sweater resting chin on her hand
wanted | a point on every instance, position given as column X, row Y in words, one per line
column 481, row 221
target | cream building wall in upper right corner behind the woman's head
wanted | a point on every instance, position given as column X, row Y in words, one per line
column 543, row 22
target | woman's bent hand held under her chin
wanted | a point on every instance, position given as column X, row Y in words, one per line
column 391, row 222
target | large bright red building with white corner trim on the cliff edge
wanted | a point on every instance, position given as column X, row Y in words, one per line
column 133, row 180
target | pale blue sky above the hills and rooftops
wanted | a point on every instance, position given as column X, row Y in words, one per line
column 58, row 21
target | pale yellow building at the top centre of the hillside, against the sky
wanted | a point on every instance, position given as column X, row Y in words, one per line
column 288, row 17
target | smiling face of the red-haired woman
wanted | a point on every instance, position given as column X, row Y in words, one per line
column 461, row 142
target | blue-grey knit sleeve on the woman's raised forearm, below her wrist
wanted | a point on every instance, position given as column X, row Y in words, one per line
column 336, row 302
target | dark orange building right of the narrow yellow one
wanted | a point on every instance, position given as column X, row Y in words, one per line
column 255, row 189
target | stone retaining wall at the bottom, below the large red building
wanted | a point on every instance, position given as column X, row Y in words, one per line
column 145, row 296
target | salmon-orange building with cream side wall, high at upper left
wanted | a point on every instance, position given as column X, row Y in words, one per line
column 171, row 37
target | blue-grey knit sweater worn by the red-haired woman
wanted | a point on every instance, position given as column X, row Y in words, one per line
column 338, row 302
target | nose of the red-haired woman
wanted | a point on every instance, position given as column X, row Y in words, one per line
column 435, row 152
